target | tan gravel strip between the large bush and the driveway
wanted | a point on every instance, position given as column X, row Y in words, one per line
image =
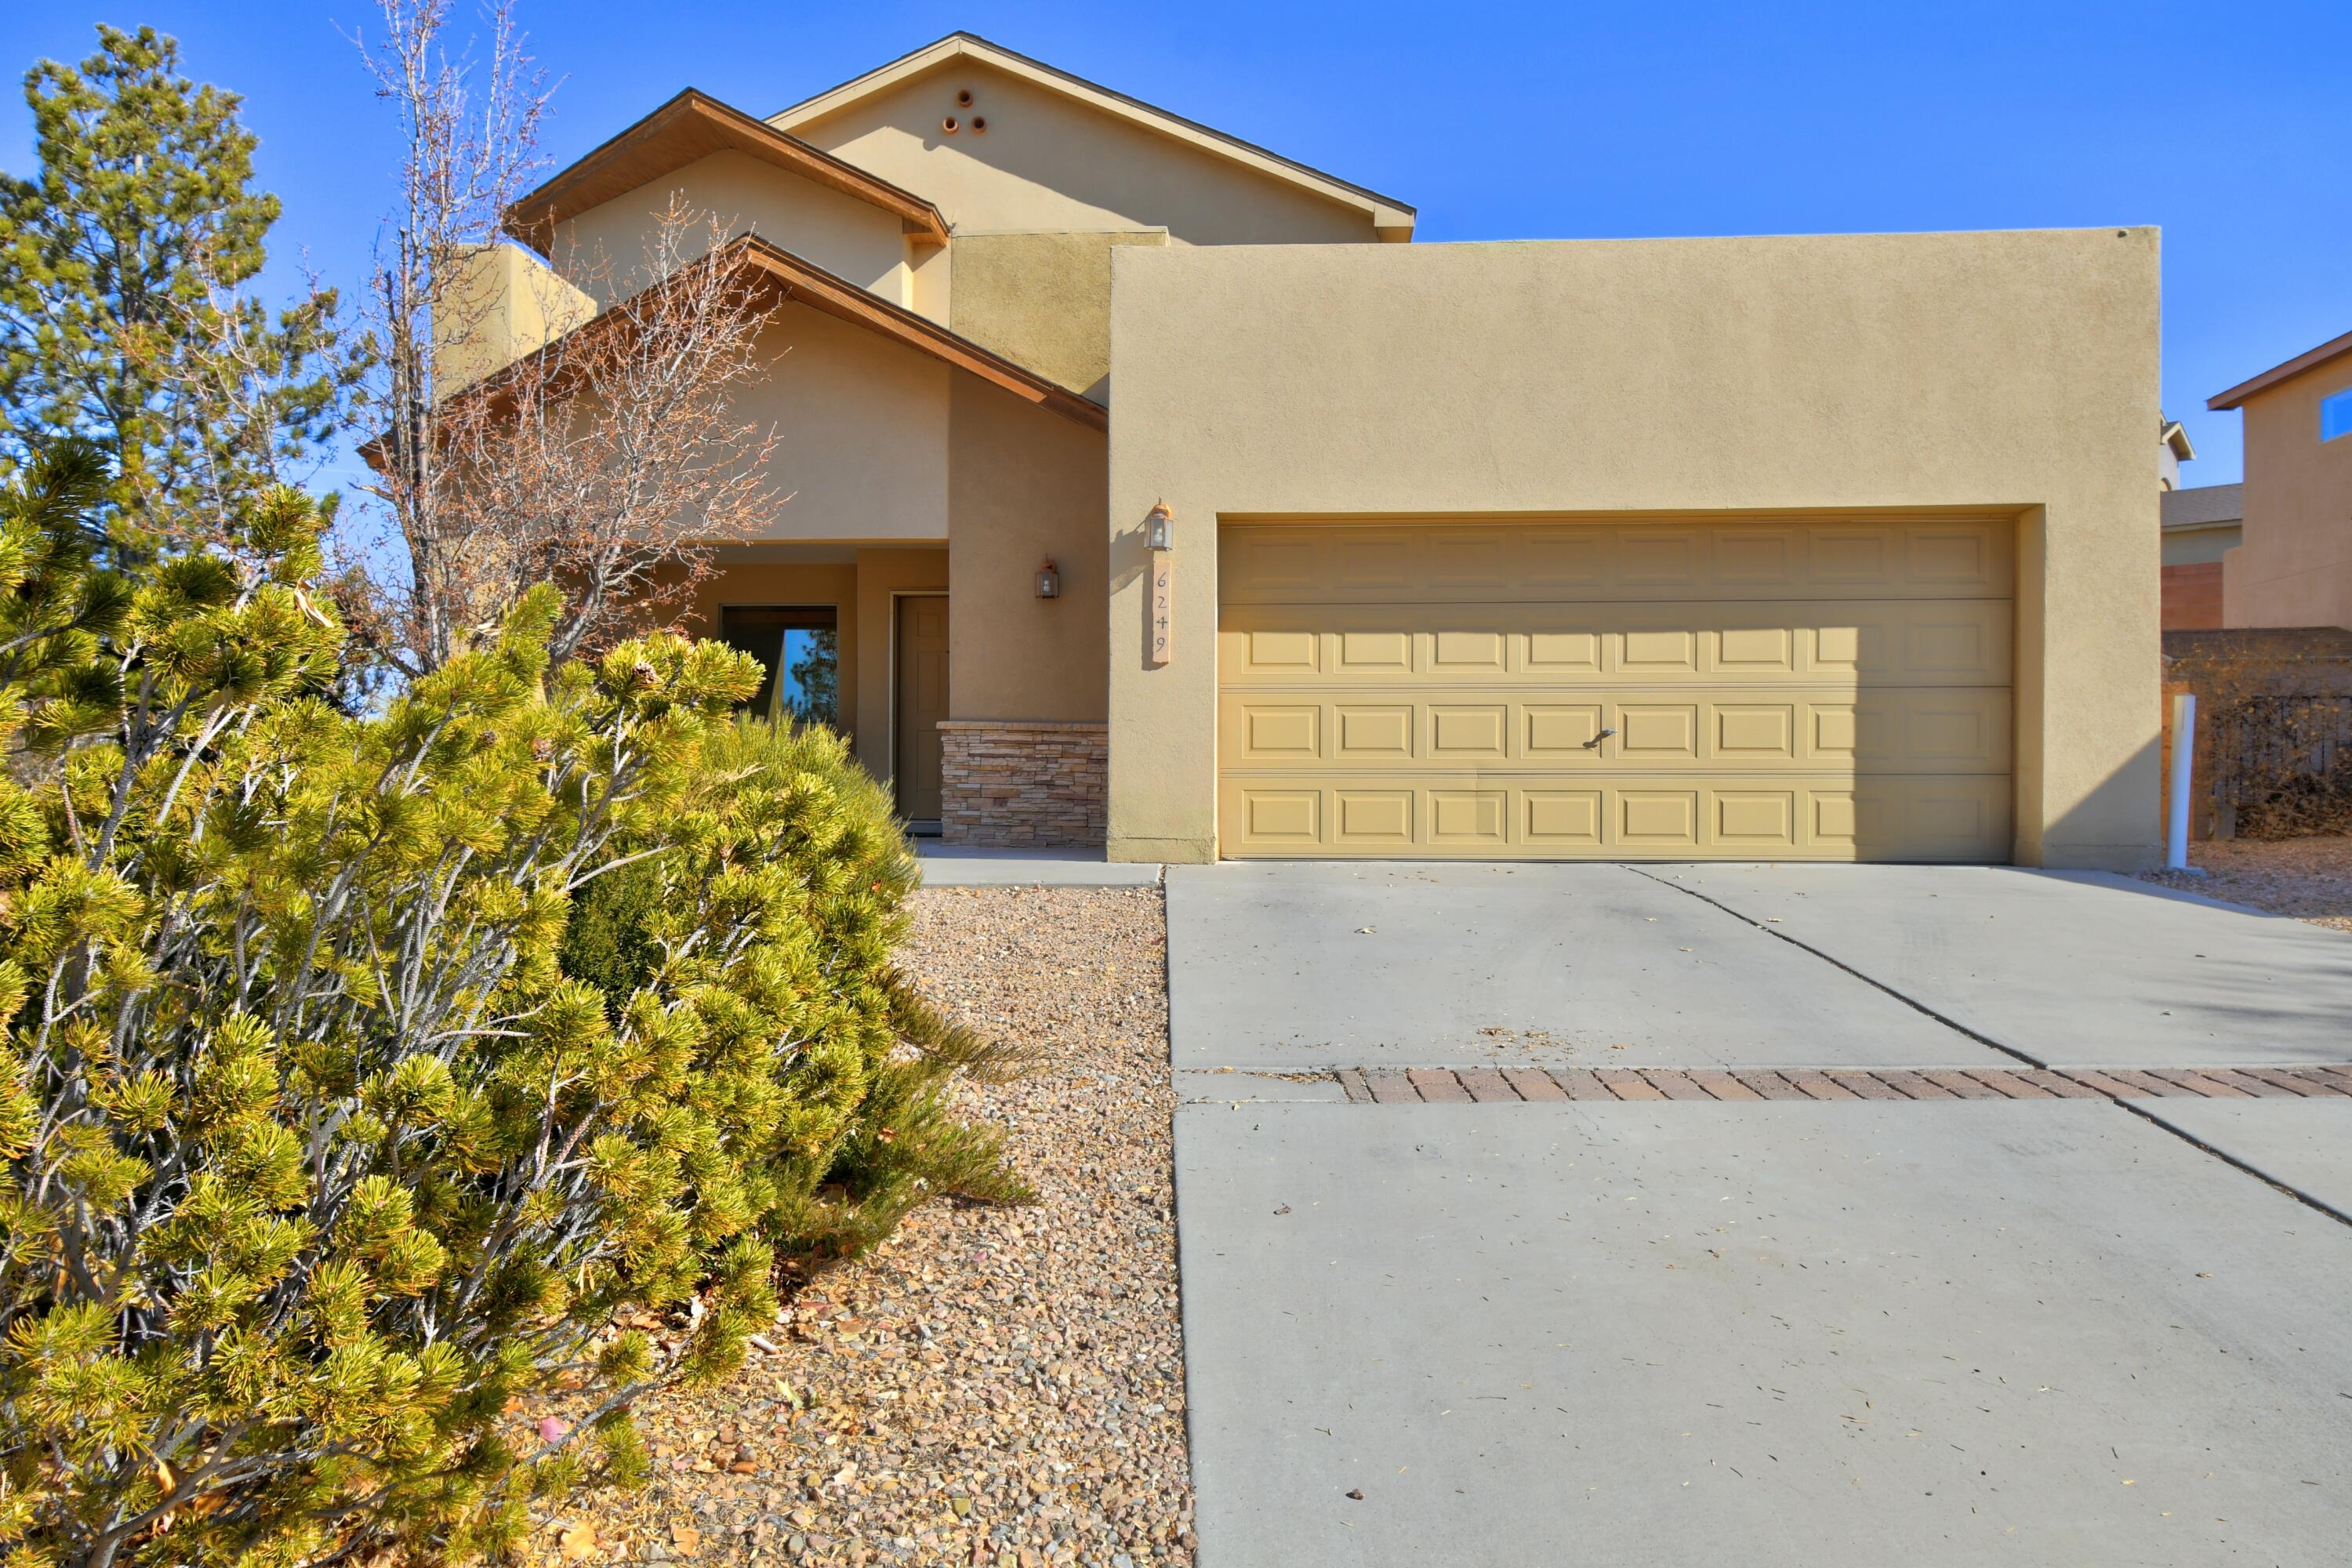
column 991, row 1386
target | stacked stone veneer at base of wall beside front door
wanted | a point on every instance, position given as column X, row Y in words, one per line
column 1024, row 784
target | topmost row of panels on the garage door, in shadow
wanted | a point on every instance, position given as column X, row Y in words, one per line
column 1474, row 561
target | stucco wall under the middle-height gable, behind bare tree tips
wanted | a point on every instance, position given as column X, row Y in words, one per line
column 836, row 232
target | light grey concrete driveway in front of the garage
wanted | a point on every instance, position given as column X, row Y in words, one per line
column 2038, row 1332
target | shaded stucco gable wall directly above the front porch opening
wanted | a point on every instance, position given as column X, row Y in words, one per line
column 864, row 431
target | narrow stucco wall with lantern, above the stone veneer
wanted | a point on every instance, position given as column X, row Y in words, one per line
column 1024, row 485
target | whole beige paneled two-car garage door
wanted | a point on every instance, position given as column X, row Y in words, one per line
column 1617, row 690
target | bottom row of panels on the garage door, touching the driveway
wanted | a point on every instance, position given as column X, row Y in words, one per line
column 1636, row 817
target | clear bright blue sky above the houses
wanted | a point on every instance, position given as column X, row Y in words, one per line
column 2229, row 126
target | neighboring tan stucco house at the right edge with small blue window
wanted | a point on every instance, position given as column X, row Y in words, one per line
column 2294, row 565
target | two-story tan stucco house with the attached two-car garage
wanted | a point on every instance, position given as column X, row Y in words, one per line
column 1751, row 549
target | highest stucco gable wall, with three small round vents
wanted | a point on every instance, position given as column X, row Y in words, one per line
column 1055, row 163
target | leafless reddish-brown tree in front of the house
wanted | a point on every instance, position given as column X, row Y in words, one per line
column 608, row 460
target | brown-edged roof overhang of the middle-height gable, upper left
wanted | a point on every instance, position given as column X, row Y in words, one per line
column 695, row 126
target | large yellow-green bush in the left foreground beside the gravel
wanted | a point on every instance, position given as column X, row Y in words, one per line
column 328, row 1130
